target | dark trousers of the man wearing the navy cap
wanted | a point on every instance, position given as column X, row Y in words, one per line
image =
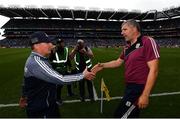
column 50, row 112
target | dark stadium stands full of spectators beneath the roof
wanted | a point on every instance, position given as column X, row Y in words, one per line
column 95, row 33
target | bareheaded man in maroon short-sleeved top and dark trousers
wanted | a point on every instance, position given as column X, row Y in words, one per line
column 141, row 58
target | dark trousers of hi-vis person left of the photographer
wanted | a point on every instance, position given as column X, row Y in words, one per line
column 59, row 88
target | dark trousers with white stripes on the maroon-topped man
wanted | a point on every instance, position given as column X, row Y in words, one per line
column 131, row 95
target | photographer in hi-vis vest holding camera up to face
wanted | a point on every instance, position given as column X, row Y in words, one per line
column 82, row 56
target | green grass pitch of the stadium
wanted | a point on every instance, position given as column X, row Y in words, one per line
column 11, row 74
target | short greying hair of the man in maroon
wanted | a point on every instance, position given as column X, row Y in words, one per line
column 133, row 23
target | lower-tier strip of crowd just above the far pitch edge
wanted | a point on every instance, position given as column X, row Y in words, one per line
column 24, row 43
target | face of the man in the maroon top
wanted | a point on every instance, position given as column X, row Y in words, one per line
column 128, row 32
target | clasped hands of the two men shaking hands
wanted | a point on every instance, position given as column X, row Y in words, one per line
column 91, row 75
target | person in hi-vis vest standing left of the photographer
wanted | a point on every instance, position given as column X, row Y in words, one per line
column 60, row 61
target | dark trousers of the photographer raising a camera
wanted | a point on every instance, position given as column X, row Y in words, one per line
column 82, row 88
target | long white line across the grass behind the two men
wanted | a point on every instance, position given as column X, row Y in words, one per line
column 113, row 98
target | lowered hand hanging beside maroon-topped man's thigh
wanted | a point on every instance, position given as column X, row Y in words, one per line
column 143, row 101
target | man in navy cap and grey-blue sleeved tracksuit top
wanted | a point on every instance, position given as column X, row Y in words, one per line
column 39, row 89
